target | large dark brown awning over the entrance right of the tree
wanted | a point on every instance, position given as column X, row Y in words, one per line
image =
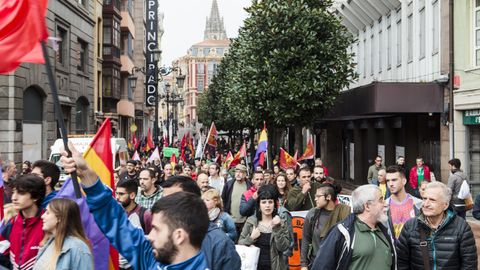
column 381, row 98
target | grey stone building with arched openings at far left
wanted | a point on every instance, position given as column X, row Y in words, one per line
column 28, row 123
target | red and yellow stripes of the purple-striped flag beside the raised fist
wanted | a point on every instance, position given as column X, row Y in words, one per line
column 99, row 158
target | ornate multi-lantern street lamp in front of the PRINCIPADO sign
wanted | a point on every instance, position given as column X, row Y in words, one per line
column 162, row 72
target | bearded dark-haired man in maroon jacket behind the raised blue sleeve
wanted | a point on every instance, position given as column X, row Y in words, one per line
column 138, row 216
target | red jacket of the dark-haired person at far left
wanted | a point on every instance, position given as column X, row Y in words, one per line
column 25, row 236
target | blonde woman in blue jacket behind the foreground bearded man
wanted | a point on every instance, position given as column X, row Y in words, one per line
column 217, row 216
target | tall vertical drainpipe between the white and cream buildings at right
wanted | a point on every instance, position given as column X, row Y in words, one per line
column 451, row 82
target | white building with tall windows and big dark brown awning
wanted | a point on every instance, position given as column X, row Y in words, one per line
column 401, row 67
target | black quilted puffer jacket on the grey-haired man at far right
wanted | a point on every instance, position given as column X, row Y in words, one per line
column 451, row 246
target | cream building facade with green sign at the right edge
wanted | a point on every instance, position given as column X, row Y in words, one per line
column 467, row 92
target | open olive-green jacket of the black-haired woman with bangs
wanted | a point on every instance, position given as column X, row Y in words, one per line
column 279, row 242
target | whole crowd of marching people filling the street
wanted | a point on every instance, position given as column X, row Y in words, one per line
column 191, row 216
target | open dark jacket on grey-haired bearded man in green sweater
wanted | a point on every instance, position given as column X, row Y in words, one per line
column 336, row 249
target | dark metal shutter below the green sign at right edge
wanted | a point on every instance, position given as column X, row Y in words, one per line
column 474, row 176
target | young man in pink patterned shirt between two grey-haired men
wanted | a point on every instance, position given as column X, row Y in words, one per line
column 401, row 205
